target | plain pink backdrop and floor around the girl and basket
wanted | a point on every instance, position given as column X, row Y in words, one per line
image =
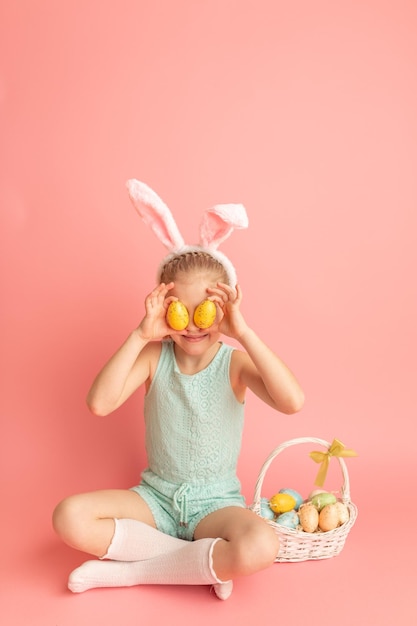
column 305, row 112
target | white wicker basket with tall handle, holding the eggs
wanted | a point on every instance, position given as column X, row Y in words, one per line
column 297, row 545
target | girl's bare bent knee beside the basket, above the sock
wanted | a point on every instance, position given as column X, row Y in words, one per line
column 250, row 543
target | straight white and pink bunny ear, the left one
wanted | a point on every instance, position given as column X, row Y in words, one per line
column 155, row 213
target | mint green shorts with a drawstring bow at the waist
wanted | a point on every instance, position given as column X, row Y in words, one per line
column 178, row 508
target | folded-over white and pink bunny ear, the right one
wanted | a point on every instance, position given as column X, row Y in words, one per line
column 219, row 222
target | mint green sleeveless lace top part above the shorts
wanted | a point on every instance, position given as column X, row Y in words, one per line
column 193, row 423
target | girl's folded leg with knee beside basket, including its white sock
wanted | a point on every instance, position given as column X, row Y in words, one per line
column 244, row 545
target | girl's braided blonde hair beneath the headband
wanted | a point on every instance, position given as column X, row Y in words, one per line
column 191, row 261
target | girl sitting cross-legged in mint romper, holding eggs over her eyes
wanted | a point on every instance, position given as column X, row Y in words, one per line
column 186, row 522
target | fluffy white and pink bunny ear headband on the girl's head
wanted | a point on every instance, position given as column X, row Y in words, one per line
column 217, row 224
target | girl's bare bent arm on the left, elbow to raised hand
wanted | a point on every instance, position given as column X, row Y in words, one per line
column 133, row 363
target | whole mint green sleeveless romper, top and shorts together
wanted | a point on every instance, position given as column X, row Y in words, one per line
column 194, row 429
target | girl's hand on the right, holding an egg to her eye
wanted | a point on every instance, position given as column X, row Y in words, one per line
column 228, row 300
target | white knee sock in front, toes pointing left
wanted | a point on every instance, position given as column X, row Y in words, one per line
column 191, row 564
